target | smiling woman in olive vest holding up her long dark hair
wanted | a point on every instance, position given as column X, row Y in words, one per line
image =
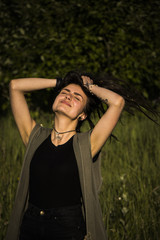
column 57, row 196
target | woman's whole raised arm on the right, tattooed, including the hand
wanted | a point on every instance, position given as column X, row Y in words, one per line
column 108, row 121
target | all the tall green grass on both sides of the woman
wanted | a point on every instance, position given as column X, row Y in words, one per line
column 130, row 195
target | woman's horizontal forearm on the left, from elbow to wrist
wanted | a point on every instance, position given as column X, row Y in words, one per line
column 31, row 84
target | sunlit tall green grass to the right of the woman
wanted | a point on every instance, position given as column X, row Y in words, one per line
column 130, row 194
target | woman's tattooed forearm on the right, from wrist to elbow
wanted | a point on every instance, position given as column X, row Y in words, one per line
column 109, row 97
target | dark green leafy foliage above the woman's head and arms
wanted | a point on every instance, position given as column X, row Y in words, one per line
column 49, row 38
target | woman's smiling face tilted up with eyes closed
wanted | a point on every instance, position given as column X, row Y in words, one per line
column 71, row 102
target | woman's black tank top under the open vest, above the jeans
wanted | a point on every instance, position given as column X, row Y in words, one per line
column 54, row 178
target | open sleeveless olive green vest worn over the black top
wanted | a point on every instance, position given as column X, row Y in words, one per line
column 90, row 179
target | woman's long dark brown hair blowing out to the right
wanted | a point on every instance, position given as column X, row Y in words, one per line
column 133, row 99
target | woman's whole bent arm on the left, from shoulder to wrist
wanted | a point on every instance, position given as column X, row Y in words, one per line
column 18, row 88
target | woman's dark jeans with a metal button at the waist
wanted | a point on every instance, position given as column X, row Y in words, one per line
column 53, row 224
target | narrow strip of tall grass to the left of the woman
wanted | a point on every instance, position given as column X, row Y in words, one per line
column 11, row 152
